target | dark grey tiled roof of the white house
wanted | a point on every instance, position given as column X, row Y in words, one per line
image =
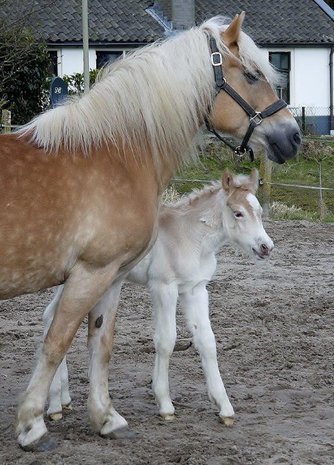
column 269, row 22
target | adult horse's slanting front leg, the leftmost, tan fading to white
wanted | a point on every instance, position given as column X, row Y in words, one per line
column 82, row 291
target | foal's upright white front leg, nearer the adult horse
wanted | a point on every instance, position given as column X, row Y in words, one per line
column 164, row 299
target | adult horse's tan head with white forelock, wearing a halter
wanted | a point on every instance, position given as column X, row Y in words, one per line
column 246, row 105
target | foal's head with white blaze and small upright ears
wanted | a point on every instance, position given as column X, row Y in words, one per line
column 243, row 214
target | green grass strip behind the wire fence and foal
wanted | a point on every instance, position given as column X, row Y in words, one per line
column 304, row 169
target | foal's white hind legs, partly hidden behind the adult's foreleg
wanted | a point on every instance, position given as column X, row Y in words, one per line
column 59, row 395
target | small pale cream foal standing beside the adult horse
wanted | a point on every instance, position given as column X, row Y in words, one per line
column 180, row 264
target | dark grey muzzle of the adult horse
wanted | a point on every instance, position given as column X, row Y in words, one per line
column 283, row 146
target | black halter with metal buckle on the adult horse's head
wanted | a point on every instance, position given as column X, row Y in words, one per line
column 255, row 117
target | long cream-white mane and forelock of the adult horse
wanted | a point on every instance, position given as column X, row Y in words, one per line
column 155, row 98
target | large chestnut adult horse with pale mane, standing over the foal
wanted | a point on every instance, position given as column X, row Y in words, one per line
column 80, row 186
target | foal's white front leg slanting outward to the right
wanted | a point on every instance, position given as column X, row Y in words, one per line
column 195, row 305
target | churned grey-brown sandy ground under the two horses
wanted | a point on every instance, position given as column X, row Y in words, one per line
column 274, row 326
